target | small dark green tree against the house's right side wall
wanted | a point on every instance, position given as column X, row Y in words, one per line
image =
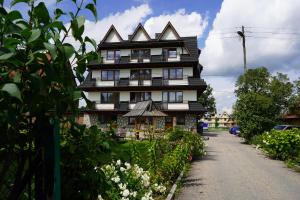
column 208, row 100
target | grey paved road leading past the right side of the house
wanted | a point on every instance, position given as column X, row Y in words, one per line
column 235, row 171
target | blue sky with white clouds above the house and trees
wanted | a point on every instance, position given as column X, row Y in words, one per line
column 272, row 30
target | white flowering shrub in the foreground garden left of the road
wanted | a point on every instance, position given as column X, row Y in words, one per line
column 129, row 182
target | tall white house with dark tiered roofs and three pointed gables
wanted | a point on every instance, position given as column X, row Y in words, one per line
column 164, row 69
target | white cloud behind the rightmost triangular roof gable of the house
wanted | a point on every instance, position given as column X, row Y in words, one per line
column 187, row 24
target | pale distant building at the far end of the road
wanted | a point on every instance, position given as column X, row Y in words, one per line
column 223, row 120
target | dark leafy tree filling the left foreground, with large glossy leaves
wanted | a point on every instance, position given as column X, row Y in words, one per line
column 38, row 70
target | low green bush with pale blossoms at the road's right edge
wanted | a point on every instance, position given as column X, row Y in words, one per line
column 282, row 145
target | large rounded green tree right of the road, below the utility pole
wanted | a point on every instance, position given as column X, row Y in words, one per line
column 261, row 100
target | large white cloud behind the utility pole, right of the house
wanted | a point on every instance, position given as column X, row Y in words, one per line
column 223, row 56
